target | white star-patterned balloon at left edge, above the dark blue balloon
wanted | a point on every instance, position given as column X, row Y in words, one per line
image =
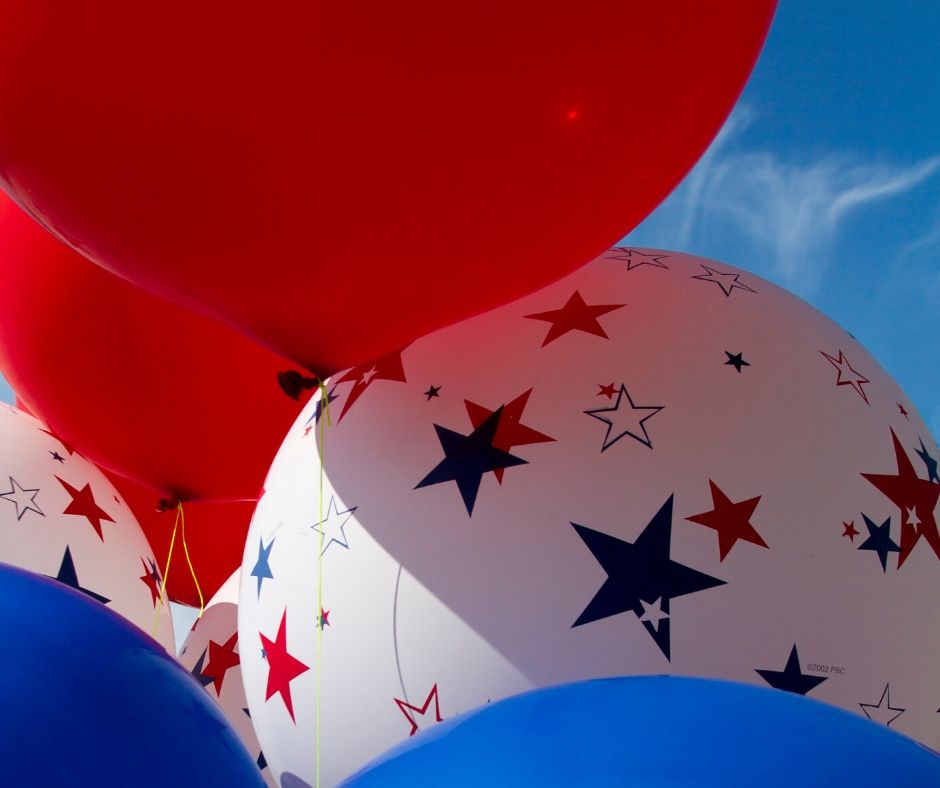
column 61, row 517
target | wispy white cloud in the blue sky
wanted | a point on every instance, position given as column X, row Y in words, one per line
column 791, row 211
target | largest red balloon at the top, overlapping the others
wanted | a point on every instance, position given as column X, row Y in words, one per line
column 339, row 178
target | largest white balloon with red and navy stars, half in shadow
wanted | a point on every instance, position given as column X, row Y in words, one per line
column 595, row 492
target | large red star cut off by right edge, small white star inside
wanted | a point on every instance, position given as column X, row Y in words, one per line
column 916, row 498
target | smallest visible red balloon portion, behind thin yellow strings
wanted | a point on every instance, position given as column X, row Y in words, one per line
column 215, row 537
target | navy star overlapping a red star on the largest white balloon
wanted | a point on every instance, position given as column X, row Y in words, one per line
column 468, row 457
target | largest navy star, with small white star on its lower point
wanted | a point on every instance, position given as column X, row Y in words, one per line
column 641, row 576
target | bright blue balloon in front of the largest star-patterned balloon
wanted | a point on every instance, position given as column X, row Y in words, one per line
column 655, row 731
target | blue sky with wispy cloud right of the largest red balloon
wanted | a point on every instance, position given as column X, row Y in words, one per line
column 826, row 179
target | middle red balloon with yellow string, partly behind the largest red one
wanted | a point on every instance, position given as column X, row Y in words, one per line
column 139, row 385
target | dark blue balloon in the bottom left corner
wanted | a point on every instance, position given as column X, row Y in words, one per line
column 89, row 700
